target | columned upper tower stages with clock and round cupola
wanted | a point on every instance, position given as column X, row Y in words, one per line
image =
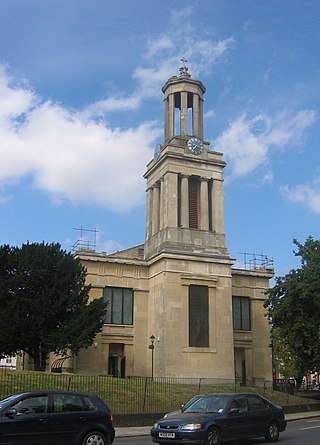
column 185, row 211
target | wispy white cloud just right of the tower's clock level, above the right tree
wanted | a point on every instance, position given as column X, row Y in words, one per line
column 247, row 142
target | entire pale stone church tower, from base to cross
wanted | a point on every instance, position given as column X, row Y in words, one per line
column 189, row 266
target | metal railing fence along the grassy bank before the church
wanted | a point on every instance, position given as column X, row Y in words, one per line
column 125, row 396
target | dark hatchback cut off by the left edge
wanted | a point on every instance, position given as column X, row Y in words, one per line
column 55, row 418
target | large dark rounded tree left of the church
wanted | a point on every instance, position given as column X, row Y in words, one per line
column 44, row 303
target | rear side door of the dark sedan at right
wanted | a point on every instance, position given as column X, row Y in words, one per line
column 259, row 415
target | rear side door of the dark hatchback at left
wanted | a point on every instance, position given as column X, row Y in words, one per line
column 69, row 418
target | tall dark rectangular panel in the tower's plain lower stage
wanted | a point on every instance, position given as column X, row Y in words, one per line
column 198, row 316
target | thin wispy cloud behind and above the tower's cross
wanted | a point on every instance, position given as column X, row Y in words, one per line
column 162, row 57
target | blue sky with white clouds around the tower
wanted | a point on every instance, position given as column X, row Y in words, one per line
column 81, row 110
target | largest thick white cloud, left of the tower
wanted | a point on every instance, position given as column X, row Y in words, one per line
column 68, row 154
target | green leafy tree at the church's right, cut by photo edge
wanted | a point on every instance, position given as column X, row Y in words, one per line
column 293, row 309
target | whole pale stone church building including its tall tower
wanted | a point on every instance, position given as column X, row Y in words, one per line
column 176, row 305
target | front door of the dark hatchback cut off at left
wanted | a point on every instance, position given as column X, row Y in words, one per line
column 31, row 423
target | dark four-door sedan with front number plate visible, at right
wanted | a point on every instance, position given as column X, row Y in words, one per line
column 212, row 418
